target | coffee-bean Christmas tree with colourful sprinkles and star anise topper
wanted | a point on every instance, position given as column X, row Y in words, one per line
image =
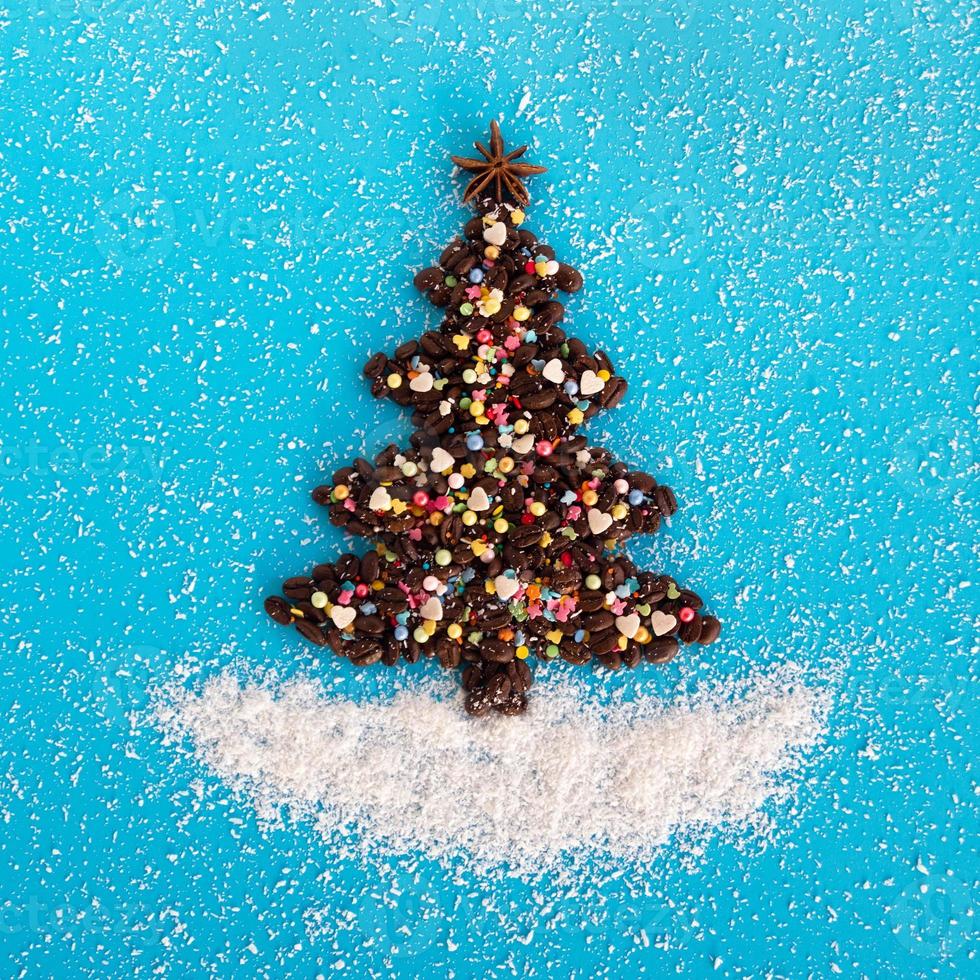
column 499, row 532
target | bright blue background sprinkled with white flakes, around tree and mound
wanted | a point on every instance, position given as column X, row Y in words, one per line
column 210, row 217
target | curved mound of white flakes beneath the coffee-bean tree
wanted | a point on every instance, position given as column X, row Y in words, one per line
column 571, row 780
